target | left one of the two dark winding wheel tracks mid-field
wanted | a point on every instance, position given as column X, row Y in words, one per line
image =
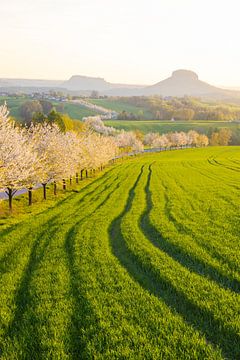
column 202, row 320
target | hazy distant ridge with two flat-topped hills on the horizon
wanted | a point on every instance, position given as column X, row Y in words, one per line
column 180, row 83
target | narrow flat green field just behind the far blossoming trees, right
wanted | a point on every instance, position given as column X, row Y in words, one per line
column 164, row 126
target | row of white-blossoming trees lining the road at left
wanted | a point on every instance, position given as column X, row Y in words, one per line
column 42, row 153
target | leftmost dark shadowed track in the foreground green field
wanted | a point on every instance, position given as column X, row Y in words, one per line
column 24, row 328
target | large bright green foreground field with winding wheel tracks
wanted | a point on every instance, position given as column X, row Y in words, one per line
column 142, row 262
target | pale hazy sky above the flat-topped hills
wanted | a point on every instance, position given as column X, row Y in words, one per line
column 131, row 41
